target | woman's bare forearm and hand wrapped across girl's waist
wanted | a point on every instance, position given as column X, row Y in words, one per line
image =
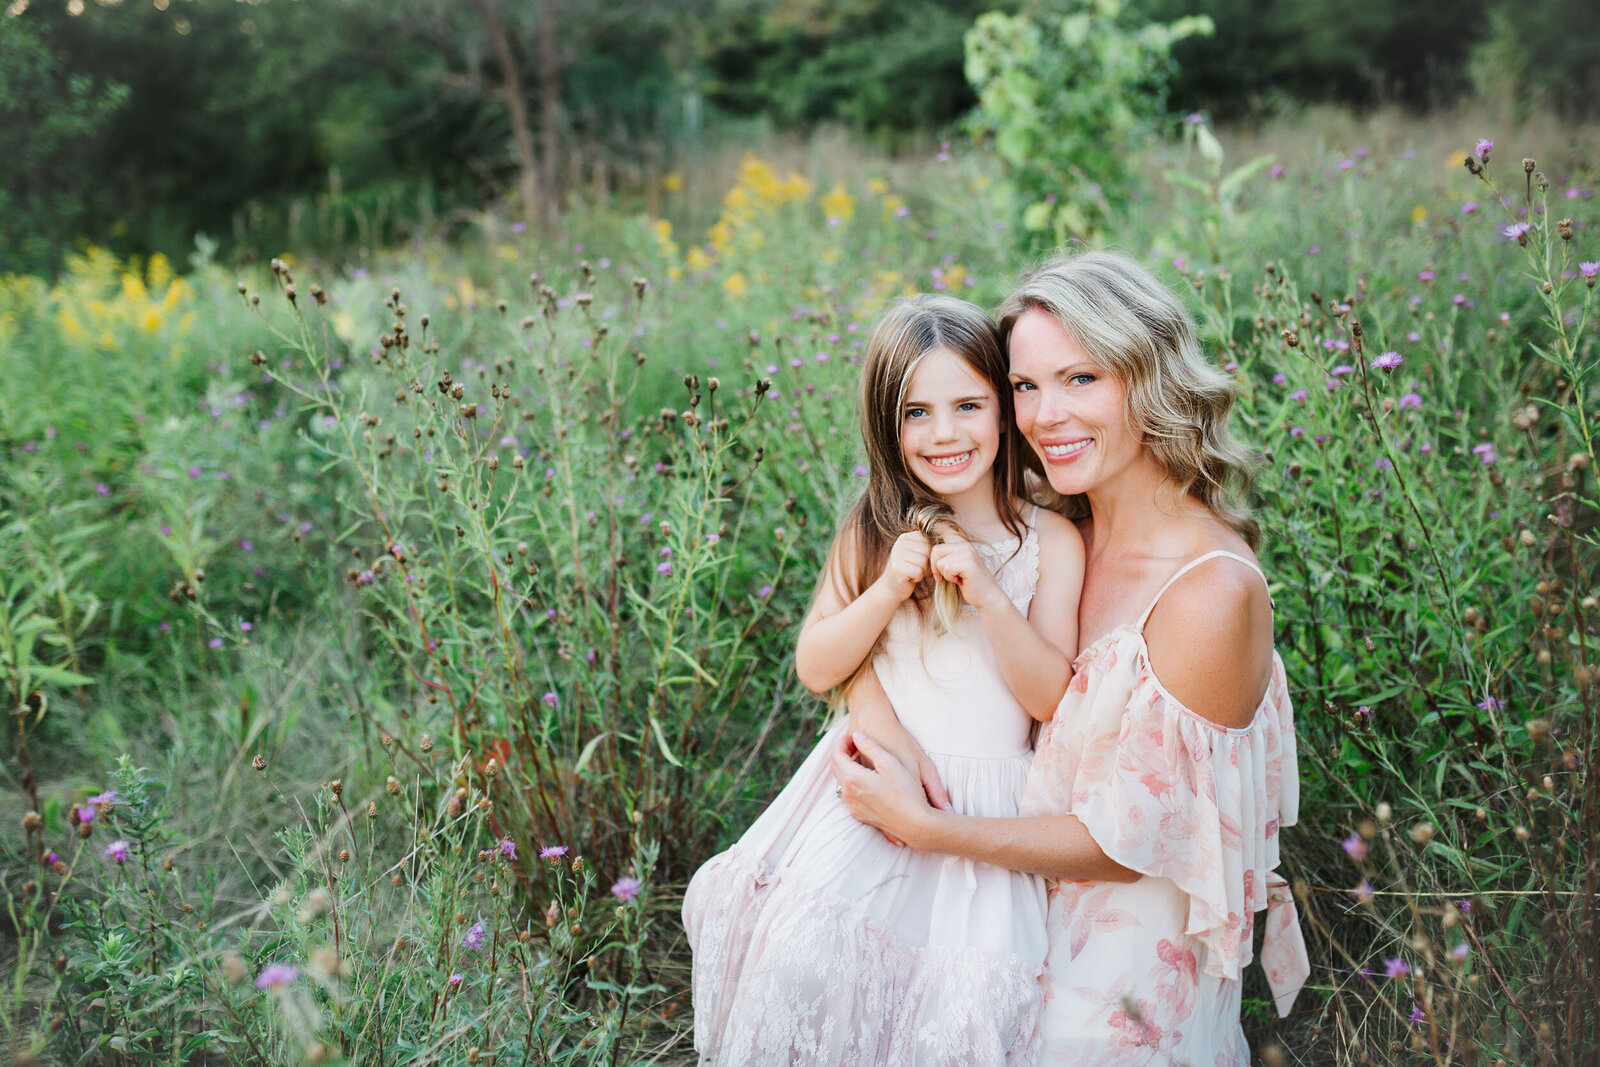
column 881, row 793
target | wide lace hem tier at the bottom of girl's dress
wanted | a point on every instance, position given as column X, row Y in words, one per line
column 788, row 975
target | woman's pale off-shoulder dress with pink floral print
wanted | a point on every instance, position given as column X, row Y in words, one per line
column 1150, row 972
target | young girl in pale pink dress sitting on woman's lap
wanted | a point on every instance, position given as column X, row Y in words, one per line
column 817, row 940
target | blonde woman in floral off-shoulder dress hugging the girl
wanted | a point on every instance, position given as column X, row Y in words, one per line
column 1158, row 793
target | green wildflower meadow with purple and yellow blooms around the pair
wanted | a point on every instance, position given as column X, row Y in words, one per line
column 362, row 585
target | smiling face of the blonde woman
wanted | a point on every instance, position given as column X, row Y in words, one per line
column 1071, row 410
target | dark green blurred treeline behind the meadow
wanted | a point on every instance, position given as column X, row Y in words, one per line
column 142, row 124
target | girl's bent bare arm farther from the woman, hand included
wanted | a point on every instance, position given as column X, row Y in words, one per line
column 839, row 633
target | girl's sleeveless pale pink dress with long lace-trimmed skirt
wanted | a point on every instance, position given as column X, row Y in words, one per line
column 820, row 943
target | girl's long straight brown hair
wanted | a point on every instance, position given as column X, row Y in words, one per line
column 895, row 502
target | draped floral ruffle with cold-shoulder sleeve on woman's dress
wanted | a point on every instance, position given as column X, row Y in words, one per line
column 1174, row 796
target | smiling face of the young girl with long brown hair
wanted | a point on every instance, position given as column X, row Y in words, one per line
column 950, row 426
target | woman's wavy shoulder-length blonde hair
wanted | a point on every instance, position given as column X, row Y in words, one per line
column 1132, row 326
